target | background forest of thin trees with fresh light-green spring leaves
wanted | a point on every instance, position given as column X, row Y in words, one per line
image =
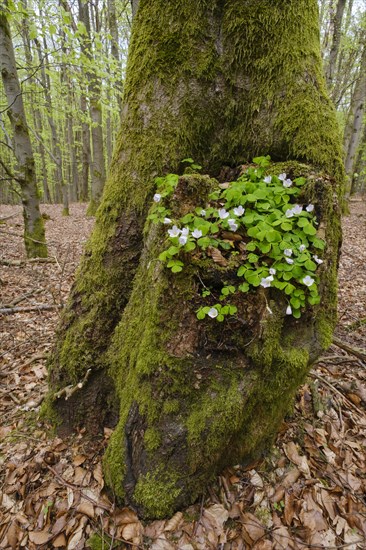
column 71, row 57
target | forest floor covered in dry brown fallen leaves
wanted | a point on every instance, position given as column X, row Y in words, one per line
column 308, row 493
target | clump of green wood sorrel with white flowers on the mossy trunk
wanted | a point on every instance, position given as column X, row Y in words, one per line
column 257, row 219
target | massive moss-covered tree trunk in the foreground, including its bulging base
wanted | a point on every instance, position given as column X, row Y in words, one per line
column 219, row 81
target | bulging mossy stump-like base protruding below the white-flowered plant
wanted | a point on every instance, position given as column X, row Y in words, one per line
column 198, row 395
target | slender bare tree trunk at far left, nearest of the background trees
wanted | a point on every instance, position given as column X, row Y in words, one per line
column 34, row 235
